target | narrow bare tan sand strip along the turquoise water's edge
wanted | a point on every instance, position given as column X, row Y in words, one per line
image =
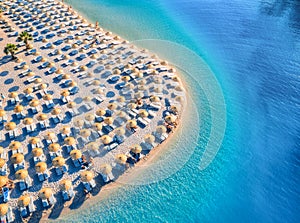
column 150, row 158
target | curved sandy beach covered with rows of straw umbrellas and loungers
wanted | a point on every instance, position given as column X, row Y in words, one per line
column 105, row 102
